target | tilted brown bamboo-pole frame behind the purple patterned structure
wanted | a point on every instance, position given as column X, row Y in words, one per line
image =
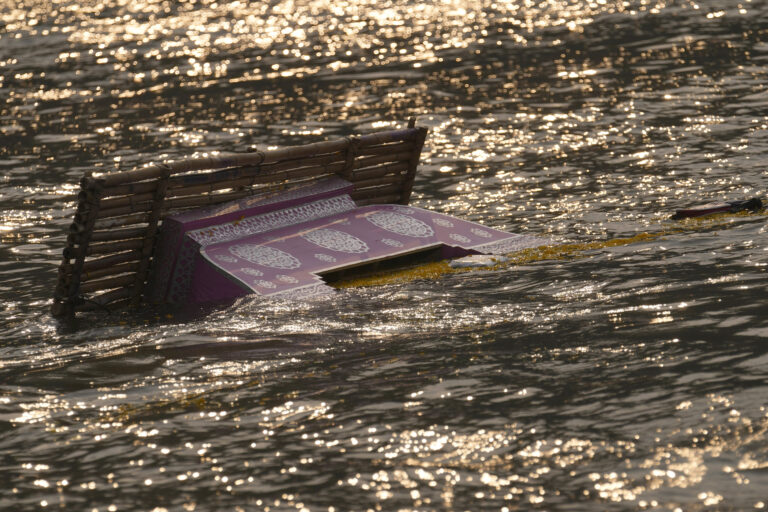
column 111, row 241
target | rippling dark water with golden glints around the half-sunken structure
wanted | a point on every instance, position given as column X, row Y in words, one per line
column 616, row 377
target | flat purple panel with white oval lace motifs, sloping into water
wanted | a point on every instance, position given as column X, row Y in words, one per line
column 289, row 259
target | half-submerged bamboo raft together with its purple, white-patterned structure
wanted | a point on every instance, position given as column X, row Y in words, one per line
column 273, row 223
